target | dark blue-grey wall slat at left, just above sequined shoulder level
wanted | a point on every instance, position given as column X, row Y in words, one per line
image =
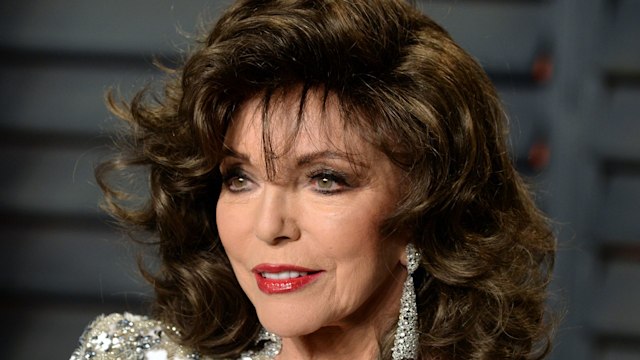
column 91, row 262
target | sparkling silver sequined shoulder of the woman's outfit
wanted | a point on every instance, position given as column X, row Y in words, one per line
column 127, row 337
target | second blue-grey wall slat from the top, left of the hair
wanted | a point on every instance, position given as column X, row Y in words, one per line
column 63, row 96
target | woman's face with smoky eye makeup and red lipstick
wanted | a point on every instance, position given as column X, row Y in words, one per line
column 305, row 244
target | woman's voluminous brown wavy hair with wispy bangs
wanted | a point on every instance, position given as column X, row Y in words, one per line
column 407, row 89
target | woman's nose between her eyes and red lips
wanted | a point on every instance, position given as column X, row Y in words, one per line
column 276, row 220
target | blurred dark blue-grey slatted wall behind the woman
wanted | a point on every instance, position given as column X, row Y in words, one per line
column 568, row 72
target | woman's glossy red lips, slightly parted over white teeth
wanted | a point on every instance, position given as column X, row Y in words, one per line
column 278, row 279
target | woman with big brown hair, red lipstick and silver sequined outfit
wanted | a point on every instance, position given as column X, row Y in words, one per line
column 330, row 180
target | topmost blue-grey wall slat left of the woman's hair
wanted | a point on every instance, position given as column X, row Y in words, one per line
column 119, row 26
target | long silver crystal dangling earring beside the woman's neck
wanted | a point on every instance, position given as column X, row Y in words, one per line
column 405, row 344
